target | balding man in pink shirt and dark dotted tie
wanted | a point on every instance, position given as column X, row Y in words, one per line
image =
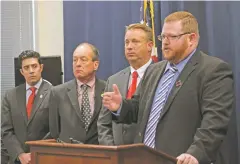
column 75, row 105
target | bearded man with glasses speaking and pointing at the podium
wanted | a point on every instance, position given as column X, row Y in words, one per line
column 184, row 103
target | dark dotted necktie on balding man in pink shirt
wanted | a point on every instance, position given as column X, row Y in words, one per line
column 85, row 107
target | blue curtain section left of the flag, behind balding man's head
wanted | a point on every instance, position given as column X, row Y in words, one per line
column 101, row 23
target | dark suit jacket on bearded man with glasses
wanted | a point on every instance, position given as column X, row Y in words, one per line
column 196, row 114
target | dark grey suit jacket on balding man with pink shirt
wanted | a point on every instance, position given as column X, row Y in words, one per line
column 65, row 118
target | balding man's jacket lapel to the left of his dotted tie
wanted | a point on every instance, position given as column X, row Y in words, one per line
column 73, row 97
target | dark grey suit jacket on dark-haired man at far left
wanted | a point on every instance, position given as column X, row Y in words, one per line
column 16, row 127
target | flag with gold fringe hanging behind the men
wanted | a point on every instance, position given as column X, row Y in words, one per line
column 147, row 17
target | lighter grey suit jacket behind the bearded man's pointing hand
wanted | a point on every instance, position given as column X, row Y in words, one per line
column 110, row 132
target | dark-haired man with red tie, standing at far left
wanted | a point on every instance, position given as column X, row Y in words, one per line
column 25, row 109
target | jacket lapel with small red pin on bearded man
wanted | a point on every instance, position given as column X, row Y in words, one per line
column 188, row 69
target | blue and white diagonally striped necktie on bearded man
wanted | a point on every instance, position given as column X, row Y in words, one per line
column 158, row 104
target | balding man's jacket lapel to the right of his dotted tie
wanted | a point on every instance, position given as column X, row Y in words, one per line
column 99, row 89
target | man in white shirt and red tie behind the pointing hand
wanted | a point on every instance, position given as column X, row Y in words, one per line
column 138, row 47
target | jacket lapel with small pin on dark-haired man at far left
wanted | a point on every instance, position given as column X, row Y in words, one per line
column 39, row 99
